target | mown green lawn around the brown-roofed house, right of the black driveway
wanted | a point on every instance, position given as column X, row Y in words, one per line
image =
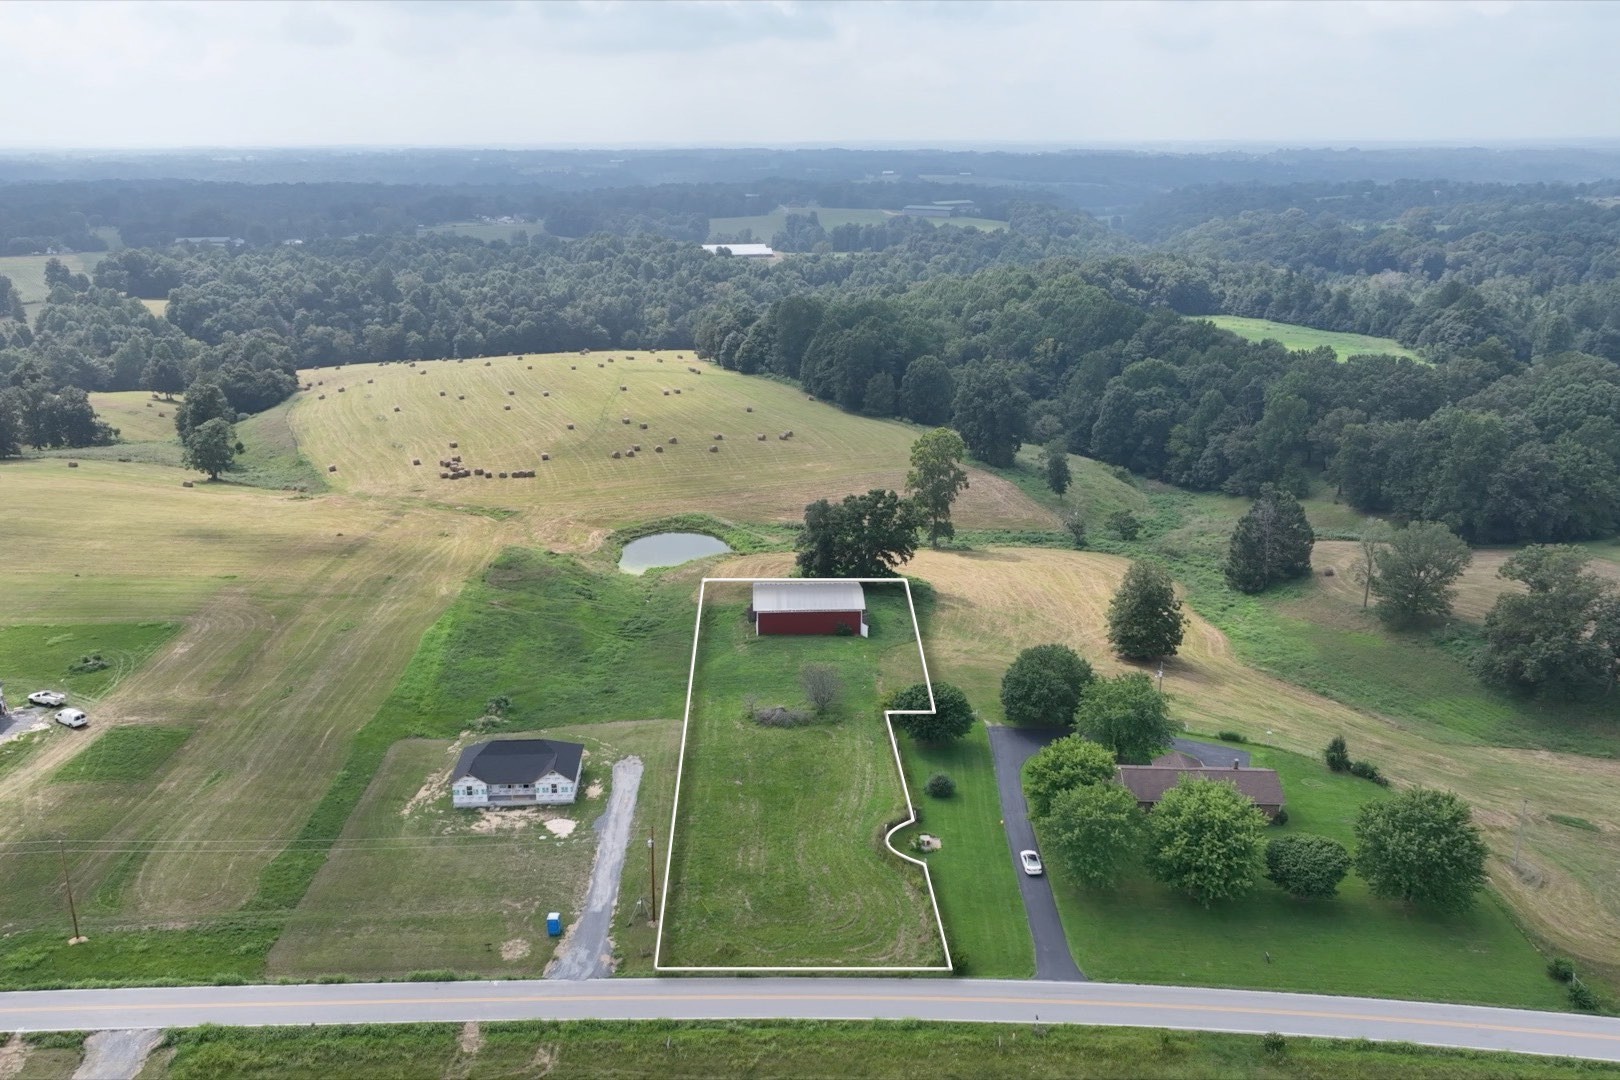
column 1354, row 945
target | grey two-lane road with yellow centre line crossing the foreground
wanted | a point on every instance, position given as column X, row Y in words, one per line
column 822, row 1000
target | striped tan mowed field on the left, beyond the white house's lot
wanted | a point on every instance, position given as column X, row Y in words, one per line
column 297, row 614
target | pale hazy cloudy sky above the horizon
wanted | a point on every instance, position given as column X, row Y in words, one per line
column 790, row 74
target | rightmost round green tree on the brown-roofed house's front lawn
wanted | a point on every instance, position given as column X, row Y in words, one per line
column 1422, row 848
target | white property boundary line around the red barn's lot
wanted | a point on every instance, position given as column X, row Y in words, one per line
column 900, row 768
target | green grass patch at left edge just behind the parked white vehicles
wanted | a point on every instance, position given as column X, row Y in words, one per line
column 38, row 657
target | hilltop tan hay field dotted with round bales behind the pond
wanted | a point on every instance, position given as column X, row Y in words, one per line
column 503, row 420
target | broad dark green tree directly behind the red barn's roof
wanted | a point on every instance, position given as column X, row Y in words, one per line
column 864, row 537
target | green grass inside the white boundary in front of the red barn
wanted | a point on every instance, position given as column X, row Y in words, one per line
column 808, row 882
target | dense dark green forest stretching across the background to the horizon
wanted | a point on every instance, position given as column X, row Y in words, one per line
column 1060, row 328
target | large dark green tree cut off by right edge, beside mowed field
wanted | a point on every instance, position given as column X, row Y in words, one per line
column 1559, row 636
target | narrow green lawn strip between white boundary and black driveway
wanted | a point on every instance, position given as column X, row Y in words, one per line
column 973, row 872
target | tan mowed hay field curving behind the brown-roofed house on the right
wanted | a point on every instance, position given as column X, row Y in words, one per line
column 997, row 602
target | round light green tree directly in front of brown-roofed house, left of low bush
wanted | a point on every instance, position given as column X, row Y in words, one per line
column 1204, row 840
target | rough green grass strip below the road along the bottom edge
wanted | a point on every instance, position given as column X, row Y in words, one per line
column 791, row 1050
